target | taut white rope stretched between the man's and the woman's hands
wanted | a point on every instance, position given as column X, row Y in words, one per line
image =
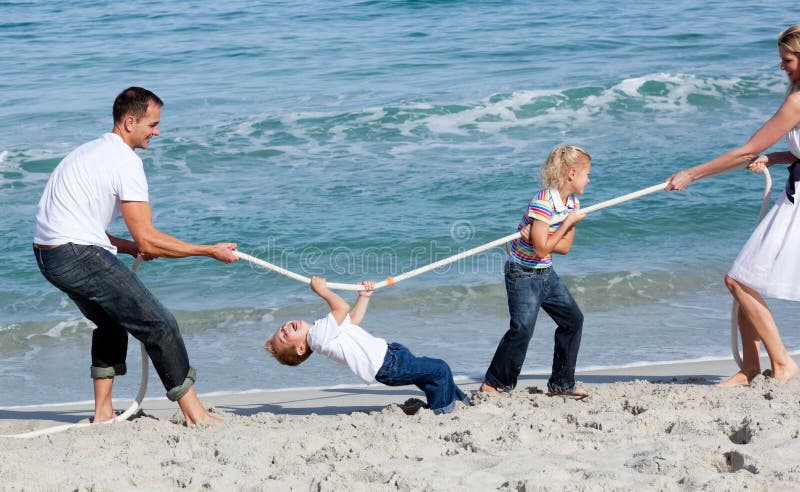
column 445, row 261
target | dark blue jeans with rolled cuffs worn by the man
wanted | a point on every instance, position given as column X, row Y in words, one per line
column 109, row 294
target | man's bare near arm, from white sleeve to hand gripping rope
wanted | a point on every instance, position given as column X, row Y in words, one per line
column 150, row 241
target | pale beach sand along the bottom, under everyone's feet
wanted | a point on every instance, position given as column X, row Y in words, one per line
column 652, row 428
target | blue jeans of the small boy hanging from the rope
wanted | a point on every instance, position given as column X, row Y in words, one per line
column 433, row 376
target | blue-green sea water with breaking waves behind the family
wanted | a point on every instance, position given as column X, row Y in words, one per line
column 362, row 139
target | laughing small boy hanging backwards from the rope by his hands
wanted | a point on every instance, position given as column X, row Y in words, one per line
column 338, row 337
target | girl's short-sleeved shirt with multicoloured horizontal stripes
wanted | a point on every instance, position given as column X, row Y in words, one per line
column 548, row 207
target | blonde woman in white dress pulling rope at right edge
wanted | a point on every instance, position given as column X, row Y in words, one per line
column 769, row 263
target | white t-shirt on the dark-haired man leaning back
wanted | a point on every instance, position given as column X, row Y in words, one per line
column 82, row 197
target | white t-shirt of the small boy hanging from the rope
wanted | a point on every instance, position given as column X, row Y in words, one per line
column 348, row 344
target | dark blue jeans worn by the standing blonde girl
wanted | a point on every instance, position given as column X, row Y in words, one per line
column 529, row 289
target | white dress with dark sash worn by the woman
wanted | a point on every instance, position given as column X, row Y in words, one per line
column 770, row 260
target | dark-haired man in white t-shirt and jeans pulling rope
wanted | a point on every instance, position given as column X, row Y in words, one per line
column 88, row 189
